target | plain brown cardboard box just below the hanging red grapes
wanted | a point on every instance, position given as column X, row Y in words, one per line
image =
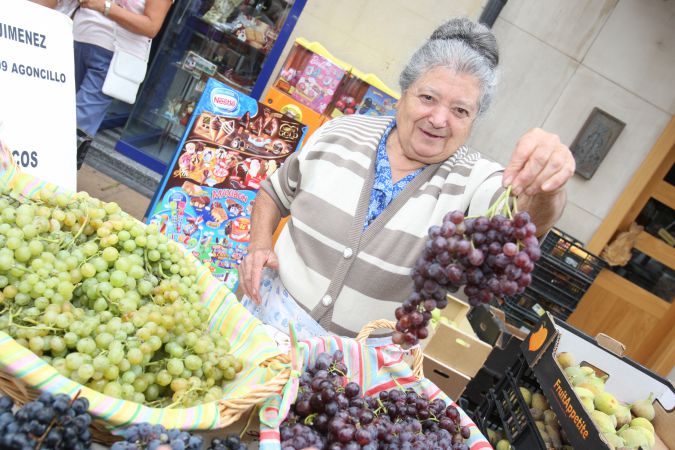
column 452, row 357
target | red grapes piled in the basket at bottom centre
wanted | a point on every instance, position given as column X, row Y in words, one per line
column 331, row 413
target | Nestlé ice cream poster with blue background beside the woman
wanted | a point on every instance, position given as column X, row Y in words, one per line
column 231, row 145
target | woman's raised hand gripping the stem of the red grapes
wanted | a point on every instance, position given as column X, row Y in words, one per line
column 539, row 164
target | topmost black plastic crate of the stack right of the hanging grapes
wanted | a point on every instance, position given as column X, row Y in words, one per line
column 569, row 252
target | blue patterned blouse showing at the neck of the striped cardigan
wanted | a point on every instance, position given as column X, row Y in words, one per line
column 384, row 191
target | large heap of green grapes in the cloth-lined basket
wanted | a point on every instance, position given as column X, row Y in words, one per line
column 109, row 302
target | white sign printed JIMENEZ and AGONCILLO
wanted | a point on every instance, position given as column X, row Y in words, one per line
column 37, row 90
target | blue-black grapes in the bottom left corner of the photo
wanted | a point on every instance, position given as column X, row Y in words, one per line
column 48, row 423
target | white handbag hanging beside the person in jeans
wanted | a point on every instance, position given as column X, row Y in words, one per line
column 125, row 74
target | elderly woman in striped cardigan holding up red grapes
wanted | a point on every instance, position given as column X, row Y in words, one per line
column 363, row 192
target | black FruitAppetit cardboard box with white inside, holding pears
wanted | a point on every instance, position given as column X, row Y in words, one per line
column 628, row 380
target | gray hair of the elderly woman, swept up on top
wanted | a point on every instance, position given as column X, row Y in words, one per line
column 461, row 45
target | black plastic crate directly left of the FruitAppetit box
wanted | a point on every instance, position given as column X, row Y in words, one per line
column 505, row 409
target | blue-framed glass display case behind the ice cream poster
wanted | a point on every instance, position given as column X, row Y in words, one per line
column 234, row 41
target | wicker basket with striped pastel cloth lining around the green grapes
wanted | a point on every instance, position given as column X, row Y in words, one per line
column 266, row 372
